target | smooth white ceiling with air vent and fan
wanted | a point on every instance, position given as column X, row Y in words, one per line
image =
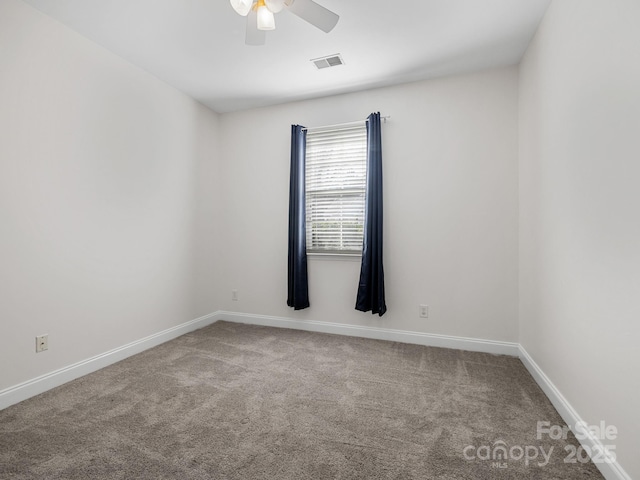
column 198, row 45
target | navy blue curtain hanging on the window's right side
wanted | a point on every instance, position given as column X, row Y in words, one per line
column 371, row 287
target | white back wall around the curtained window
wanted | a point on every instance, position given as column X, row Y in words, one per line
column 450, row 180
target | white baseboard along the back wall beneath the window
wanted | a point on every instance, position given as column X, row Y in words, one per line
column 418, row 338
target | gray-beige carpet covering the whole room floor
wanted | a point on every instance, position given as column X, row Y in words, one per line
column 234, row 401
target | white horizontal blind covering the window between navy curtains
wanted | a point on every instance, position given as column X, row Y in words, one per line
column 336, row 173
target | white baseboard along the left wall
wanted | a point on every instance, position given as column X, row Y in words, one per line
column 36, row 386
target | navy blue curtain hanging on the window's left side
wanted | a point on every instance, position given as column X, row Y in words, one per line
column 298, row 287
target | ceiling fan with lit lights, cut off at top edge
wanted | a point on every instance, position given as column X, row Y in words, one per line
column 260, row 17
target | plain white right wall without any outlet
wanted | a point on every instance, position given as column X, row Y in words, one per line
column 580, row 211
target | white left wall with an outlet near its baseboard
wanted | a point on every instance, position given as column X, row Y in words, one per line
column 101, row 174
